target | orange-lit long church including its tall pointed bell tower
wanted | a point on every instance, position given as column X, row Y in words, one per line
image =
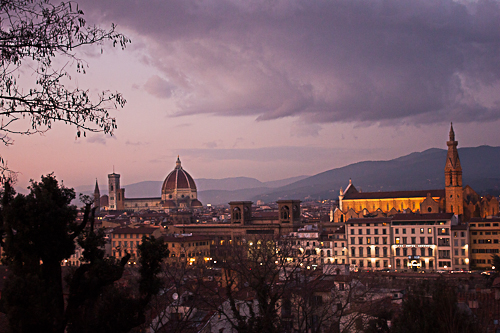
column 465, row 203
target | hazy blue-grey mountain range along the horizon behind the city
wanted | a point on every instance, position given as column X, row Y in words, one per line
column 416, row 171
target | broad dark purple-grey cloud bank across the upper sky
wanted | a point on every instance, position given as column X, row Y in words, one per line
column 405, row 61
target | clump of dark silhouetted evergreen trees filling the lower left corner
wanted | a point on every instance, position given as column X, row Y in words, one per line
column 39, row 232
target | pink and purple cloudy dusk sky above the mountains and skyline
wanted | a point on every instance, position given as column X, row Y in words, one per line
column 276, row 89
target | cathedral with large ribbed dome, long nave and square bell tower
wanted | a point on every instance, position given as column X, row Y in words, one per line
column 178, row 193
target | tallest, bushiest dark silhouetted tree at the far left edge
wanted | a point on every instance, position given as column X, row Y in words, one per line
column 39, row 231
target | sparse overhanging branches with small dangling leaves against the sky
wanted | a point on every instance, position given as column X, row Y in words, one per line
column 38, row 40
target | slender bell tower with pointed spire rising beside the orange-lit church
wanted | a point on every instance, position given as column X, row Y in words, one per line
column 453, row 178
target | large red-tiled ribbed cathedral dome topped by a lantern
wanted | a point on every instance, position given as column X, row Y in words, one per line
column 179, row 189
